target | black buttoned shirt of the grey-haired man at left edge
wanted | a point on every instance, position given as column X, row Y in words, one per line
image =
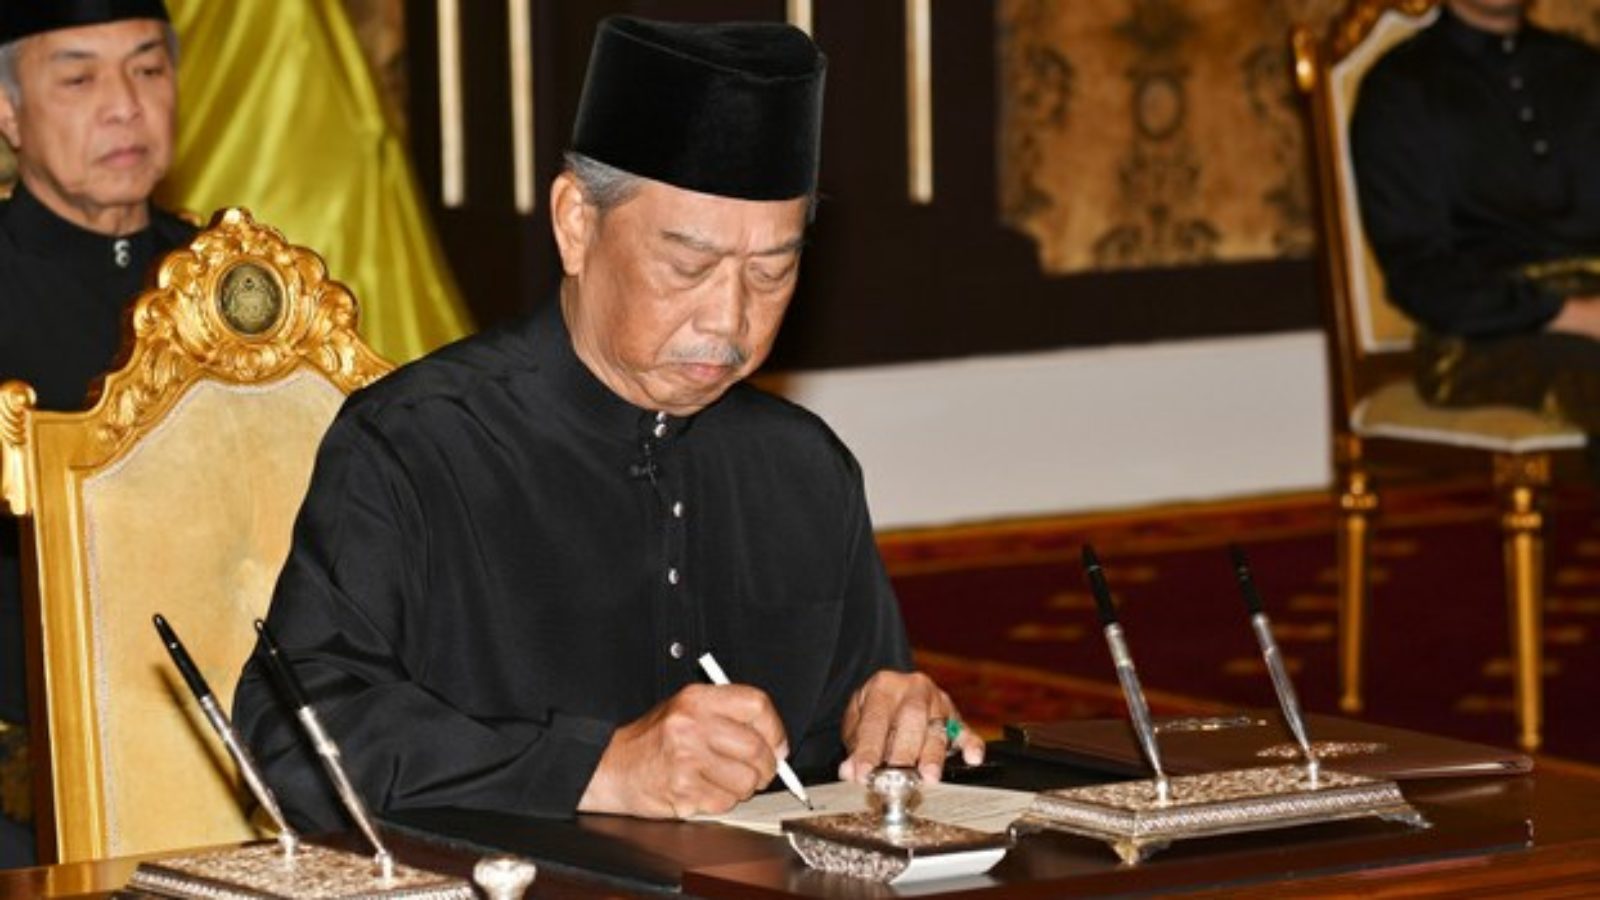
column 63, row 292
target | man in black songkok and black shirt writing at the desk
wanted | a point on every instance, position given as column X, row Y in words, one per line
column 514, row 552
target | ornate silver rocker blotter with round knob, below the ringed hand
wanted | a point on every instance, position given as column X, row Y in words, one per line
column 890, row 845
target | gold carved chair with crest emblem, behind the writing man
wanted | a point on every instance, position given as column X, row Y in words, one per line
column 175, row 494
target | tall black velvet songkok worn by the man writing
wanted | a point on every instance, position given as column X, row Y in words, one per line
column 732, row 110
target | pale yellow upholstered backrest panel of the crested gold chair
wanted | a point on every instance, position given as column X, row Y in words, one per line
column 194, row 523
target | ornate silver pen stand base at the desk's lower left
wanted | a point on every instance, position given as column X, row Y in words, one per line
column 311, row 874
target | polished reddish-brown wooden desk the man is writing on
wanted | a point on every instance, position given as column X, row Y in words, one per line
column 1561, row 859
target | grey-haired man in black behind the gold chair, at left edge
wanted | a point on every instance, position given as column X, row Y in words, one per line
column 87, row 102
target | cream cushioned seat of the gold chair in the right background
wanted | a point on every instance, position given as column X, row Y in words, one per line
column 1399, row 412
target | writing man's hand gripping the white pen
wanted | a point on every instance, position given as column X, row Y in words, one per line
column 702, row 752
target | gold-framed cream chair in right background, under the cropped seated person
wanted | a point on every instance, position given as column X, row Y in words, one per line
column 1370, row 361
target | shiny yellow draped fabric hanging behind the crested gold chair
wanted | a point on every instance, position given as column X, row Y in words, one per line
column 279, row 113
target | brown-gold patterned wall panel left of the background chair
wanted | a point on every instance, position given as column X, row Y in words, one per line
column 1140, row 134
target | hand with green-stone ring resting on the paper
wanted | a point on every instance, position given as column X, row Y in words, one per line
column 900, row 718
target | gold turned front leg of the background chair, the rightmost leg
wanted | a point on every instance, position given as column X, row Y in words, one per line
column 1522, row 480
